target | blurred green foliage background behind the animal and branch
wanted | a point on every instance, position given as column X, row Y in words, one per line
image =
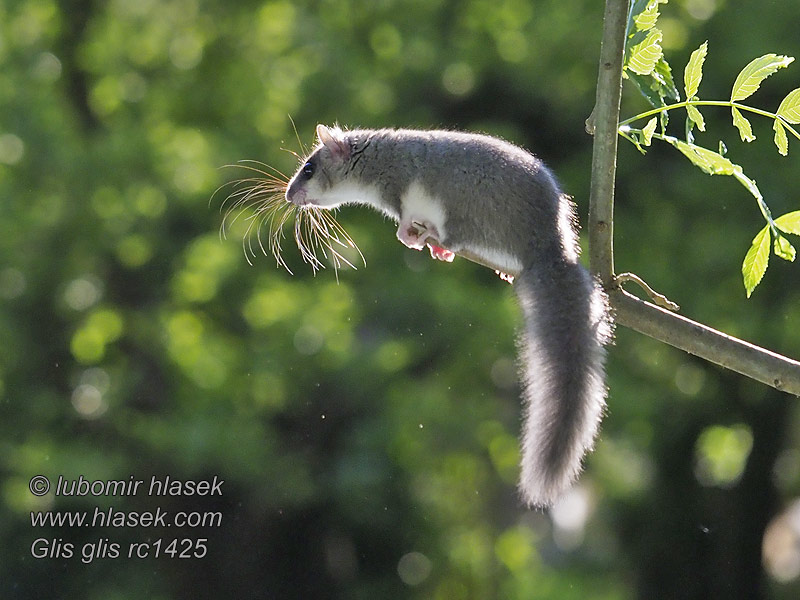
column 366, row 430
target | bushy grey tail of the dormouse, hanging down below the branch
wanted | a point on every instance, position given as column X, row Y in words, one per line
column 562, row 352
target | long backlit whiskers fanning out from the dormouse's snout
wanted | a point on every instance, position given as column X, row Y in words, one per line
column 260, row 200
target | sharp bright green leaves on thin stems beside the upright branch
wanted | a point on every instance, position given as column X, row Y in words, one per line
column 647, row 68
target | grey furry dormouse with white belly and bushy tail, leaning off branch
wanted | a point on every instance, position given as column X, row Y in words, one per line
column 458, row 192
